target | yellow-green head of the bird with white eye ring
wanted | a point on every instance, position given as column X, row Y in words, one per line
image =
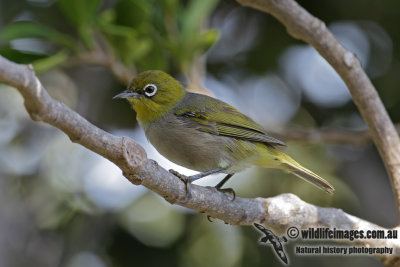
column 152, row 94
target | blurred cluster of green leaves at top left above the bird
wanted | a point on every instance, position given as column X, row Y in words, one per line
column 146, row 34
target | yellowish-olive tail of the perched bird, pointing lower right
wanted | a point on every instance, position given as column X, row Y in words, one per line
column 277, row 159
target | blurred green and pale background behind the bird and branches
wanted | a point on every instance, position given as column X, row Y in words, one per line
column 62, row 205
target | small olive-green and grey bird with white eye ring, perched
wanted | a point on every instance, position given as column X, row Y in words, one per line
column 205, row 134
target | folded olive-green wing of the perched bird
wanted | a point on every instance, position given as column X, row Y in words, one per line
column 216, row 117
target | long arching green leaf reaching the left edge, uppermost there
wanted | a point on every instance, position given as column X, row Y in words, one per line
column 33, row 30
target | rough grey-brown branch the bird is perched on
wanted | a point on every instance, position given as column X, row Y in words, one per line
column 277, row 212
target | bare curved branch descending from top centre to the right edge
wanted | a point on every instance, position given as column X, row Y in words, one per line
column 302, row 25
